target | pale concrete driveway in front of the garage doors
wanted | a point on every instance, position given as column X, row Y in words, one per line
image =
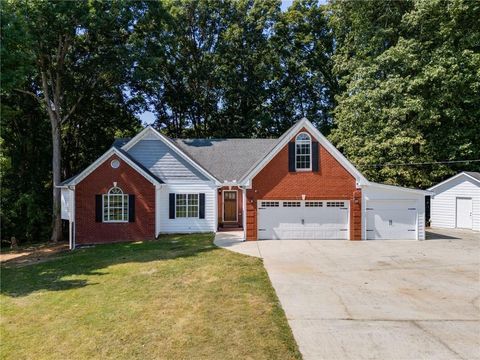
column 378, row 299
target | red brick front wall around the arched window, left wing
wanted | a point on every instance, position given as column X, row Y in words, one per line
column 99, row 182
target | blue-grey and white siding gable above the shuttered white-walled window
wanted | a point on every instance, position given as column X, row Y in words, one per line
column 164, row 162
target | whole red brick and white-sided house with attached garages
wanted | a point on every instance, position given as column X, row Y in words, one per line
column 298, row 186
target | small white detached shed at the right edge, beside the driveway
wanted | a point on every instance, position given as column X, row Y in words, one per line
column 456, row 203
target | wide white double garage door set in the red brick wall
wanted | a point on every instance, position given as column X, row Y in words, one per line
column 286, row 219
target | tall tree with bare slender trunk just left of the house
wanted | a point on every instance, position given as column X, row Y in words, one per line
column 69, row 48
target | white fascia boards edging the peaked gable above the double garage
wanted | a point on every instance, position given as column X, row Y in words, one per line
column 304, row 123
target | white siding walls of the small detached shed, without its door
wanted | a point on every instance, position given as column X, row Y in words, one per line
column 443, row 206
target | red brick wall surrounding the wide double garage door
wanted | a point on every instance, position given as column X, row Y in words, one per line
column 332, row 182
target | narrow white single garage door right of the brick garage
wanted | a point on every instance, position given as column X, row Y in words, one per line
column 391, row 220
